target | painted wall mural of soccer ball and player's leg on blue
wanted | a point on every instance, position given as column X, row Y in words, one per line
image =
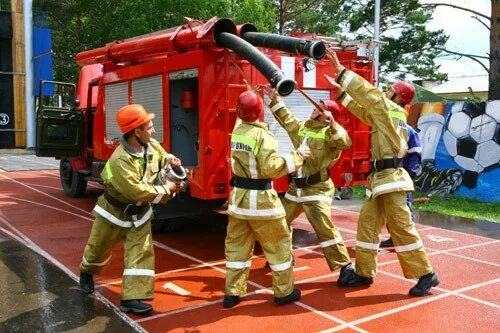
column 460, row 148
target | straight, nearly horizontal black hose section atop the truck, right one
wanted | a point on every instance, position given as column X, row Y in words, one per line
column 313, row 49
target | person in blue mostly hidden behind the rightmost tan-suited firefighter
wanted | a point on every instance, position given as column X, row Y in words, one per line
column 412, row 164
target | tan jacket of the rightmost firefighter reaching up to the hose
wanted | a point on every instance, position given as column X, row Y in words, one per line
column 389, row 133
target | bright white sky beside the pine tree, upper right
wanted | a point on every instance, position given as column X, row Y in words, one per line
column 467, row 35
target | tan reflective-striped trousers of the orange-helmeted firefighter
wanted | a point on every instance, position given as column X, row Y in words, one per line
column 138, row 275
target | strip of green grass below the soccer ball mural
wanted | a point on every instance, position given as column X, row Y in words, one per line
column 454, row 206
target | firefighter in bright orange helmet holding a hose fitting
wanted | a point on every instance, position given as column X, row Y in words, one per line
column 124, row 211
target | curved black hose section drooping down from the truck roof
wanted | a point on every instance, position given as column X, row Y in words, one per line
column 273, row 73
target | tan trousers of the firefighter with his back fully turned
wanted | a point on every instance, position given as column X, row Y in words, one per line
column 274, row 238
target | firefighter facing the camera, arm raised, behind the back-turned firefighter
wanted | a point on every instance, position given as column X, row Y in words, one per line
column 311, row 189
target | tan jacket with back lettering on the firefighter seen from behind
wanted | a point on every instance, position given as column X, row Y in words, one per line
column 254, row 155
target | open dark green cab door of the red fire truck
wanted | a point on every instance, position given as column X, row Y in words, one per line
column 59, row 124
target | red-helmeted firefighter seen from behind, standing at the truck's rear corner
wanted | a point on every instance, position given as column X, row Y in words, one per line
column 254, row 209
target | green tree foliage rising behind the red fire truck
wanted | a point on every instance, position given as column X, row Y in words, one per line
column 410, row 51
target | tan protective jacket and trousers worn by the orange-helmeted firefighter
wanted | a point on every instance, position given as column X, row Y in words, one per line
column 128, row 177
